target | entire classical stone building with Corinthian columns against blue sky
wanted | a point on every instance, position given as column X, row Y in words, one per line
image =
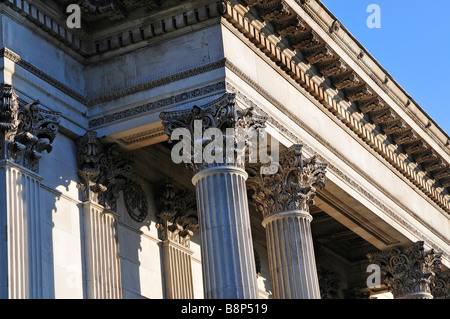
column 92, row 204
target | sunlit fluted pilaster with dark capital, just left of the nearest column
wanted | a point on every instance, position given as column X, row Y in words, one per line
column 177, row 221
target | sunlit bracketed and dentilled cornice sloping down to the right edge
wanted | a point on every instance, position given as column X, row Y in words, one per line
column 417, row 153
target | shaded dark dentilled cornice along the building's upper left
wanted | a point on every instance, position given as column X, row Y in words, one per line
column 85, row 44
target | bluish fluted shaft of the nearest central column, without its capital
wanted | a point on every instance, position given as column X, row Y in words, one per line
column 229, row 270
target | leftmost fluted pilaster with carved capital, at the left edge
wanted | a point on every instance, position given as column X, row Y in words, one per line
column 25, row 132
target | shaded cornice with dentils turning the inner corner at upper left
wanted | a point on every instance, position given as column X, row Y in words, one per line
column 89, row 48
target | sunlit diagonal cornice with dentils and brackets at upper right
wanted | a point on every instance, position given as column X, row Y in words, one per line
column 364, row 98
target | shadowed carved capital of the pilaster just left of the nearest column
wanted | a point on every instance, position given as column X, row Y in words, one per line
column 177, row 215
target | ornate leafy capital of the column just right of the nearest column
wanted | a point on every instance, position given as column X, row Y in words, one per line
column 291, row 186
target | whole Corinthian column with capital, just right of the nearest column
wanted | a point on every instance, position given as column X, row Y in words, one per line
column 283, row 196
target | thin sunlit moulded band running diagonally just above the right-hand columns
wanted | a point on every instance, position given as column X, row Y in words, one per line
column 345, row 178
